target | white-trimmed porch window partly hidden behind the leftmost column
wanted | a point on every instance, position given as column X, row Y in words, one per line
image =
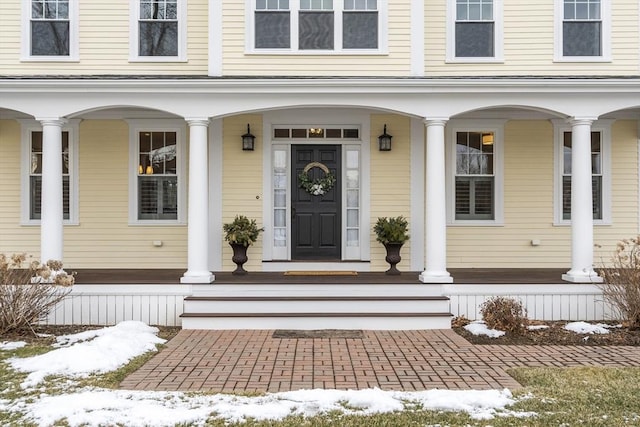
column 31, row 212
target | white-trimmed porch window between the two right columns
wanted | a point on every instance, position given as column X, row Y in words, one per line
column 475, row 172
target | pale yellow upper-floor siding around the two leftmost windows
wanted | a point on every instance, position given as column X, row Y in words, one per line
column 104, row 43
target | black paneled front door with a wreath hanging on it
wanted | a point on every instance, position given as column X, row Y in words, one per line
column 315, row 202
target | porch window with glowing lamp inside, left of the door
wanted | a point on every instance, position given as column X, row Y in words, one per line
column 157, row 193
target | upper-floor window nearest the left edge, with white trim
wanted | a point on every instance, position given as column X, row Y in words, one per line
column 50, row 30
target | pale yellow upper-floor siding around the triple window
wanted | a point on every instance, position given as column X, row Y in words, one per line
column 396, row 63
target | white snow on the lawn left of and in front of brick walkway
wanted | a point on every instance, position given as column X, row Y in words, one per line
column 107, row 349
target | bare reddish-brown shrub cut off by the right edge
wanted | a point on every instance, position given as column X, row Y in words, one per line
column 621, row 281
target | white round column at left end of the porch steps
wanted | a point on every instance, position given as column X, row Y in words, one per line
column 198, row 217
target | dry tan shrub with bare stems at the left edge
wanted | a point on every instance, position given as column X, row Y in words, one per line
column 29, row 291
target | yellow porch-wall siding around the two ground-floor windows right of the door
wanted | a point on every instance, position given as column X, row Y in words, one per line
column 528, row 205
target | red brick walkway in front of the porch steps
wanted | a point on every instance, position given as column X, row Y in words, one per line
column 251, row 360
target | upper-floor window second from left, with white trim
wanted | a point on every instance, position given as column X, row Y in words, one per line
column 160, row 30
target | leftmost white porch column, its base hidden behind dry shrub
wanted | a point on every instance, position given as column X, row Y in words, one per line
column 52, row 213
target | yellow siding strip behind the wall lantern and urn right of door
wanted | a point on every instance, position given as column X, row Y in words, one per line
column 390, row 183
